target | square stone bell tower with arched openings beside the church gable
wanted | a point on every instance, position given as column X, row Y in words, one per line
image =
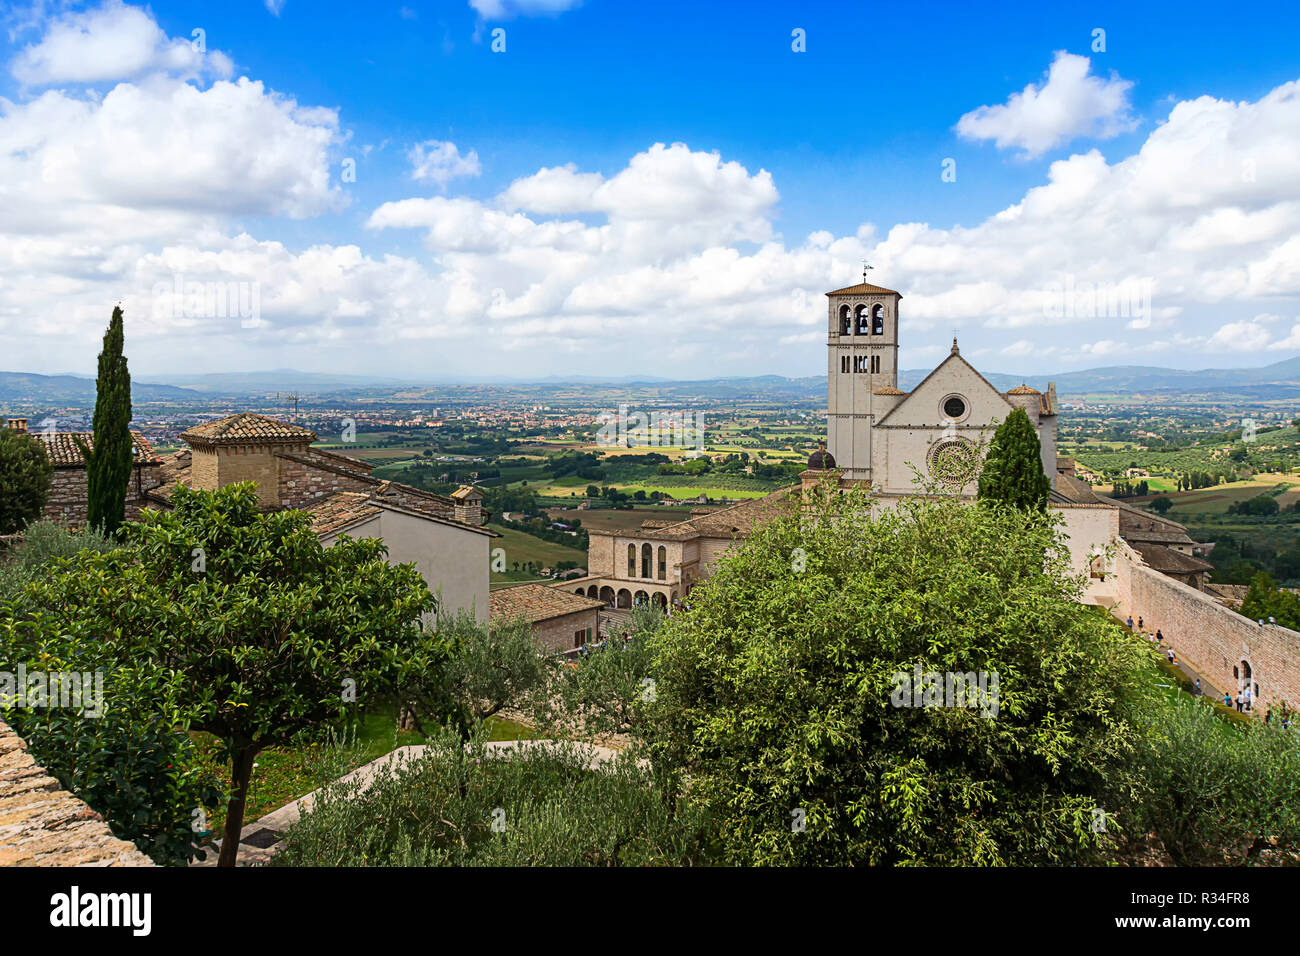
column 863, row 354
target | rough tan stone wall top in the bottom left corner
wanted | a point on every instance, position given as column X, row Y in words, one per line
column 44, row 825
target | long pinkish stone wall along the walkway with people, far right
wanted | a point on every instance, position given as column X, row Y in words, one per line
column 1208, row 637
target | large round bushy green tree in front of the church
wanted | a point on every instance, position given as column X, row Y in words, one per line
column 777, row 693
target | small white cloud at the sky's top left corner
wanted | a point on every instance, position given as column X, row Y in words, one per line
column 107, row 44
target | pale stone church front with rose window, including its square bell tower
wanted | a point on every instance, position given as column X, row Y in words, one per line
column 896, row 442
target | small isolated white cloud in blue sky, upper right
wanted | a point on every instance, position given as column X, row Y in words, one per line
column 1072, row 103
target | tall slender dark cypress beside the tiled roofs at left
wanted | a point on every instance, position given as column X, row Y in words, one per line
column 109, row 464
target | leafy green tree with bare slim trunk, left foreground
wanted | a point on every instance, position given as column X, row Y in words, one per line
column 272, row 633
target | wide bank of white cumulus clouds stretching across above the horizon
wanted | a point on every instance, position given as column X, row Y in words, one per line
column 671, row 261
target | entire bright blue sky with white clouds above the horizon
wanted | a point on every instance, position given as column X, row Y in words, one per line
column 1167, row 162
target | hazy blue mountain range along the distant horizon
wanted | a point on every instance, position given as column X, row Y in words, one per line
column 1281, row 379
